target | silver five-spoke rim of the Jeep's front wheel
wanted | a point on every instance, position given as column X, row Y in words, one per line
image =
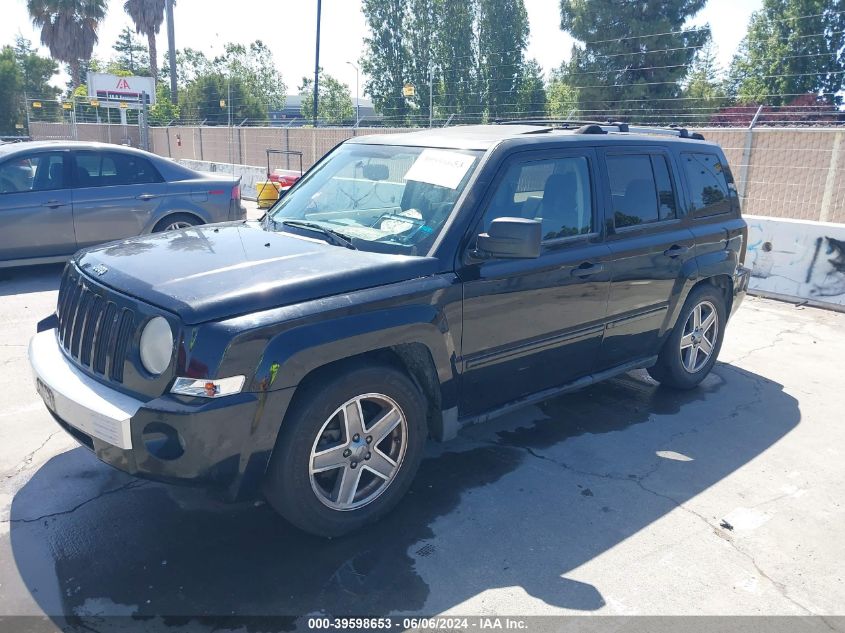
column 358, row 452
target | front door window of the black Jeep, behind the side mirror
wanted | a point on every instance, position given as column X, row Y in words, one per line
column 555, row 191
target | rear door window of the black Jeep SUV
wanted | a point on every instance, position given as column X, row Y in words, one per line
column 641, row 189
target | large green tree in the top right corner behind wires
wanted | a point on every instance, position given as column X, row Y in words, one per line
column 793, row 47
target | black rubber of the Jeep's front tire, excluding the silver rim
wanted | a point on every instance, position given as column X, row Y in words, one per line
column 288, row 482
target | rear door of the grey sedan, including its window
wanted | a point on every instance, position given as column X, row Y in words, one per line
column 116, row 194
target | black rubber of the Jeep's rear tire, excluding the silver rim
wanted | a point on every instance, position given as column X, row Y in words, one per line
column 669, row 369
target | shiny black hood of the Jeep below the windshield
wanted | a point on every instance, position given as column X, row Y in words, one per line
column 213, row 272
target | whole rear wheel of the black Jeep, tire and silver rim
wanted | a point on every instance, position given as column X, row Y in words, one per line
column 689, row 353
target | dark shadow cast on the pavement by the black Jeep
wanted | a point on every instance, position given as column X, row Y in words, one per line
column 518, row 502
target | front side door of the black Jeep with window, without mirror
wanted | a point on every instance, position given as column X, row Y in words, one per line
column 534, row 324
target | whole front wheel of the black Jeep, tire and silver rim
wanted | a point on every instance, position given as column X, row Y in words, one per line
column 314, row 452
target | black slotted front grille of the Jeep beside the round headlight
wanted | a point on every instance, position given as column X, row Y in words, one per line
column 93, row 329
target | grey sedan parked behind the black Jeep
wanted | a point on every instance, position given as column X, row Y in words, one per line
column 59, row 197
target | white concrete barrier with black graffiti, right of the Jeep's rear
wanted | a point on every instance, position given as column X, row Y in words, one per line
column 797, row 260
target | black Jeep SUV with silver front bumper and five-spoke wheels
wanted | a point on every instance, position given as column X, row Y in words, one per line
column 408, row 285
